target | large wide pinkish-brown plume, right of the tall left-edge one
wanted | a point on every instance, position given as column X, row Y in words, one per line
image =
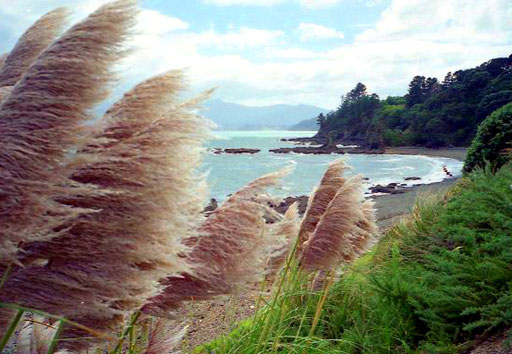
column 109, row 262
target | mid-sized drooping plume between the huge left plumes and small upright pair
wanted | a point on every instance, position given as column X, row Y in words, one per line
column 230, row 251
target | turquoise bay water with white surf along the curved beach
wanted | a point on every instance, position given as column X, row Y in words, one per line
column 227, row 173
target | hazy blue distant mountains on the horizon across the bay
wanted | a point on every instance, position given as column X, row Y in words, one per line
column 232, row 116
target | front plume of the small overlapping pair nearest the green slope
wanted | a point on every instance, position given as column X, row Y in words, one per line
column 332, row 241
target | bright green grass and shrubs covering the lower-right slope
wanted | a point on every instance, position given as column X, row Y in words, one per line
column 433, row 284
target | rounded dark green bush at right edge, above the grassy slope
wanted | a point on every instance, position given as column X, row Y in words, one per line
column 494, row 136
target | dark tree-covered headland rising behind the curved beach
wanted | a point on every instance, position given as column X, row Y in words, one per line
column 432, row 113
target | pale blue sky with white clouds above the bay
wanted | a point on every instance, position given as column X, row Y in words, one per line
column 263, row 52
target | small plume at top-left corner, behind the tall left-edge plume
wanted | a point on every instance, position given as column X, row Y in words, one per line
column 30, row 45
